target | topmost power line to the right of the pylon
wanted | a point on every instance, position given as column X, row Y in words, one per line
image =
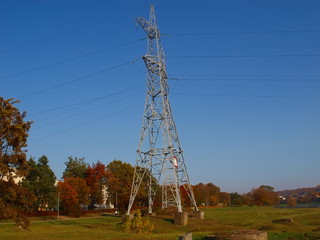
column 248, row 32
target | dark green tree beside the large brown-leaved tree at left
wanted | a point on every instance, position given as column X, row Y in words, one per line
column 41, row 182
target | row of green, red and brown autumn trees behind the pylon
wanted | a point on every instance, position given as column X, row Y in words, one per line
column 86, row 186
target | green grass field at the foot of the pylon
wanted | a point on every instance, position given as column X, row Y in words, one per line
column 306, row 225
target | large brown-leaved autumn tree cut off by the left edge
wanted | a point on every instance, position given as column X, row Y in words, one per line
column 15, row 200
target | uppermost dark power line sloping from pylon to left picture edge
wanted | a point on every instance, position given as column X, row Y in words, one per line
column 69, row 59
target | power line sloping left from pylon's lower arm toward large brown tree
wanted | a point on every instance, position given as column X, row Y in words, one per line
column 77, row 79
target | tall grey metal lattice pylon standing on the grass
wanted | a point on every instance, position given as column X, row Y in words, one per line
column 159, row 155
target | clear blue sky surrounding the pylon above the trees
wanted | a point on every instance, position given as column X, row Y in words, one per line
column 244, row 78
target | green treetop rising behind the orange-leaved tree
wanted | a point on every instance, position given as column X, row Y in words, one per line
column 75, row 167
